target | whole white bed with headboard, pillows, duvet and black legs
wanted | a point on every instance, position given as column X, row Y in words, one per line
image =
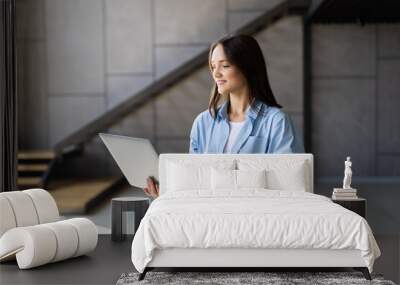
column 246, row 211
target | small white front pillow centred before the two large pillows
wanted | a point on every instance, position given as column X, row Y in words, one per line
column 237, row 179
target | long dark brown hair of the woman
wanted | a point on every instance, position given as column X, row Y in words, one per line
column 244, row 52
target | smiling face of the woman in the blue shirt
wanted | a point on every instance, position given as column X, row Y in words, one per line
column 229, row 78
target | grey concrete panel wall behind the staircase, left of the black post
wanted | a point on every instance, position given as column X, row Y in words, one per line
column 80, row 58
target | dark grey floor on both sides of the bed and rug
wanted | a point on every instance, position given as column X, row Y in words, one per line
column 110, row 260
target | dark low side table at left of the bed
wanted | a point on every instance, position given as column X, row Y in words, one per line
column 138, row 205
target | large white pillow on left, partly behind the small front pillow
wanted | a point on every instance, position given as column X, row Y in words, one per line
column 187, row 175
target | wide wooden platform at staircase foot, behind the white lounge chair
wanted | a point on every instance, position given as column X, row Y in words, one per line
column 74, row 196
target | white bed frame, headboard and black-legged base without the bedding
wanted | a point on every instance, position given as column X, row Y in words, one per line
column 240, row 259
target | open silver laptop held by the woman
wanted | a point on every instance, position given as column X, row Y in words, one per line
column 136, row 157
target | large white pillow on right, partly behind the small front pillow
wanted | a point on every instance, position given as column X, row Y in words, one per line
column 281, row 174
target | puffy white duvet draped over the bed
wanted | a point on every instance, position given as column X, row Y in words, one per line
column 252, row 218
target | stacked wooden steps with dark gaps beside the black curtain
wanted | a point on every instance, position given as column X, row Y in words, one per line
column 34, row 167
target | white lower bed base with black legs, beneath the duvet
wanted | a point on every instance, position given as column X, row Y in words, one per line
column 259, row 259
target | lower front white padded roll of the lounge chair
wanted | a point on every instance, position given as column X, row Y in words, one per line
column 41, row 244
